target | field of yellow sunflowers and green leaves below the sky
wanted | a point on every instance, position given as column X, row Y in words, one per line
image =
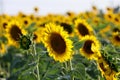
column 70, row 46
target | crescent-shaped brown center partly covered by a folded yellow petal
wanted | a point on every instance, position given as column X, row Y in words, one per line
column 87, row 47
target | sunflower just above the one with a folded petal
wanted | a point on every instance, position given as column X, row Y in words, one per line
column 82, row 28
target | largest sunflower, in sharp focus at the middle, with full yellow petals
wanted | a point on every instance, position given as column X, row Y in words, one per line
column 57, row 42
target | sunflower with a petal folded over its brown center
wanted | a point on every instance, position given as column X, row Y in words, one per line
column 91, row 47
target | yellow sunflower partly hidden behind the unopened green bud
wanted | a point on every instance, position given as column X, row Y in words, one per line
column 14, row 31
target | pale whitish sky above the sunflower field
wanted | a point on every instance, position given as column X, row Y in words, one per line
column 12, row 7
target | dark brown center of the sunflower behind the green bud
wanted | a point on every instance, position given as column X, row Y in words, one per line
column 15, row 32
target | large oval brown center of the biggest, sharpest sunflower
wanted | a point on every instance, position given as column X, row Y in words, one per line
column 57, row 43
